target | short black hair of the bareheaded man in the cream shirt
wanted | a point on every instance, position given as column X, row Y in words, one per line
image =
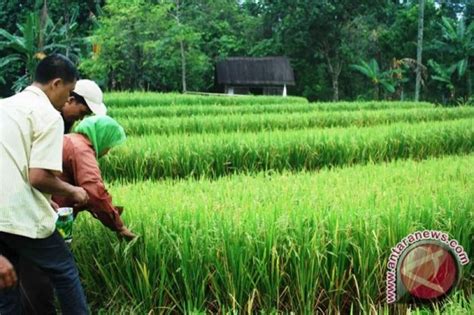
column 56, row 66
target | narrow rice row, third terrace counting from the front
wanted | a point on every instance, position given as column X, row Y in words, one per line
column 282, row 121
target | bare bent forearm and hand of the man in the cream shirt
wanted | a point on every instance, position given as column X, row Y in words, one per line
column 46, row 182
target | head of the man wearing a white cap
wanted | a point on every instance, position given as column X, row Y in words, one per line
column 86, row 99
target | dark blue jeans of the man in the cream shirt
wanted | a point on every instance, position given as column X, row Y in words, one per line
column 53, row 257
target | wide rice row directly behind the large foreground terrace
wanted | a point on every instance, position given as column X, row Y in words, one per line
column 214, row 155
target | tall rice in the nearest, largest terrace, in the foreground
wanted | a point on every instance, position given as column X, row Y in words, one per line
column 304, row 243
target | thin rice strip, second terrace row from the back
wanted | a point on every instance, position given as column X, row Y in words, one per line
column 193, row 110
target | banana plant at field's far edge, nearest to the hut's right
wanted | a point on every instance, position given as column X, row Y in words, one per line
column 378, row 78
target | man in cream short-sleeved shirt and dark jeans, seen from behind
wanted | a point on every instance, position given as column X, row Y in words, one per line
column 31, row 135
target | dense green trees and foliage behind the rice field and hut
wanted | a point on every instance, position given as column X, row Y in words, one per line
column 339, row 49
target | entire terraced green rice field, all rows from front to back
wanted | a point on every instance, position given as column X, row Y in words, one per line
column 289, row 211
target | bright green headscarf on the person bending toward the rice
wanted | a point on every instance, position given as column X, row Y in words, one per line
column 102, row 131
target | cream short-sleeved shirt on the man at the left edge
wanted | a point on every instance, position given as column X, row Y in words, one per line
column 31, row 136
